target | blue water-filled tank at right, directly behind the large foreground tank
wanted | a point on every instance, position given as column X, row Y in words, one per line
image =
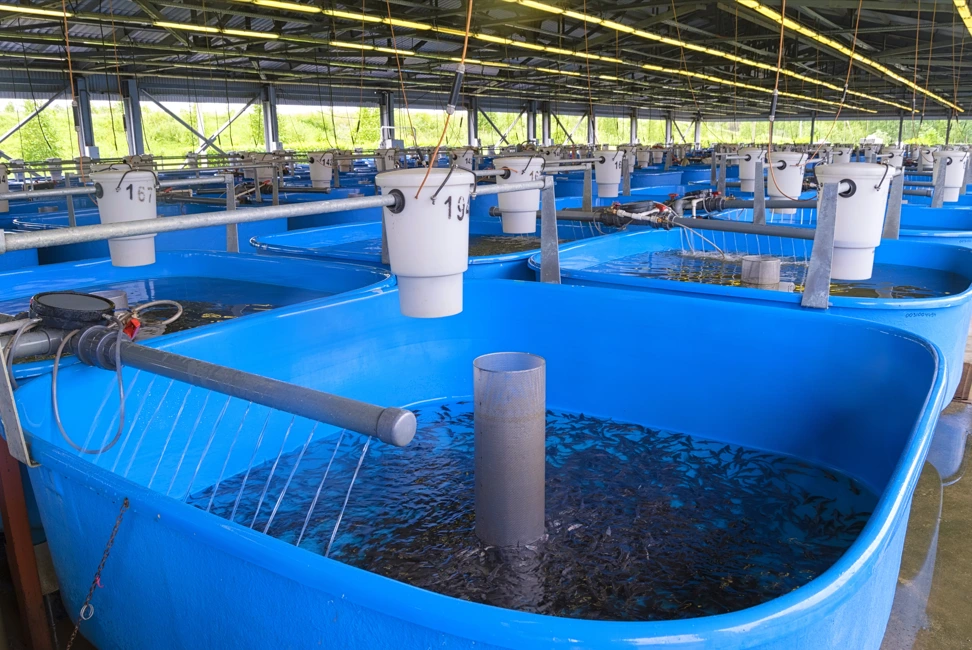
column 926, row 289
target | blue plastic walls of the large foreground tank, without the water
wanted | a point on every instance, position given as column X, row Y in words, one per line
column 864, row 400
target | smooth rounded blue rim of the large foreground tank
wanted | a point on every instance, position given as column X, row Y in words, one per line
column 489, row 624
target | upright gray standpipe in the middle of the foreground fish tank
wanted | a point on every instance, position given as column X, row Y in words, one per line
column 509, row 391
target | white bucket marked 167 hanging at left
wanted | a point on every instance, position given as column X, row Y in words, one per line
column 127, row 196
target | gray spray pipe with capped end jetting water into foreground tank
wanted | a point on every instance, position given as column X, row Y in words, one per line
column 392, row 425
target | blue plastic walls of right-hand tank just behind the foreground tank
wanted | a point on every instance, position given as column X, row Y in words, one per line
column 944, row 320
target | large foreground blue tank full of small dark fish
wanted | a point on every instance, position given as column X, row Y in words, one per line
column 862, row 408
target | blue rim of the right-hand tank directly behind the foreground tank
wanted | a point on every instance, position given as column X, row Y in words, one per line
column 761, row 295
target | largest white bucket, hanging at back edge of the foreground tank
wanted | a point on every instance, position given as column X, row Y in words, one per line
column 428, row 243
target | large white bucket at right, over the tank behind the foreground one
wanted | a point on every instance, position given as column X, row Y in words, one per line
column 860, row 216
